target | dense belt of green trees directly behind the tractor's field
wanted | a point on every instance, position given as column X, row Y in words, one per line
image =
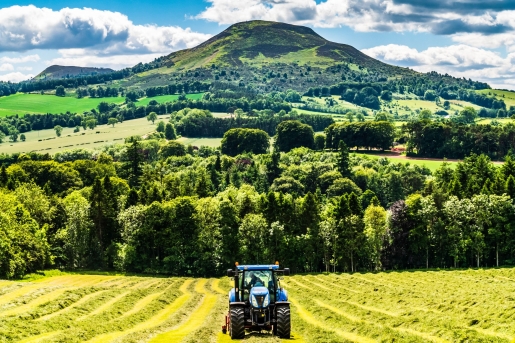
column 157, row 206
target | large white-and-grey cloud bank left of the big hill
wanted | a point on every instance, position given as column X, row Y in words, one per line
column 29, row 27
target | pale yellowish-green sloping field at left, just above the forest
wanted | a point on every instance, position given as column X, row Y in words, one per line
column 50, row 143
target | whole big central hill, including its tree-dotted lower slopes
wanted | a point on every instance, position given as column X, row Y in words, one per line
column 261, row 53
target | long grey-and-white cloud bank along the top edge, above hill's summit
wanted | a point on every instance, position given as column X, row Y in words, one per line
column 445, row 17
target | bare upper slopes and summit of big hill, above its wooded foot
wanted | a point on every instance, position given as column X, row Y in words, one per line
column 262, row 42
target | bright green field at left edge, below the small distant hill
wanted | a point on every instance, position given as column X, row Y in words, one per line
column 37, row 103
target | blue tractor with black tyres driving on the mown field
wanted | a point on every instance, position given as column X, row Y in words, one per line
column 257, row 302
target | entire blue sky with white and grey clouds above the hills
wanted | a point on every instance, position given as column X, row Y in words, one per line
column 466, row 38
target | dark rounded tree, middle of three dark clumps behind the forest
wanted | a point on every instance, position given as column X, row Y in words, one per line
column 293, row 134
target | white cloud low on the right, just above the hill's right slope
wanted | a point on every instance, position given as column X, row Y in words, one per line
column 457, row 60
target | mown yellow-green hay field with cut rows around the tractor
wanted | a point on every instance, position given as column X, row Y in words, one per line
column 373, row 307
